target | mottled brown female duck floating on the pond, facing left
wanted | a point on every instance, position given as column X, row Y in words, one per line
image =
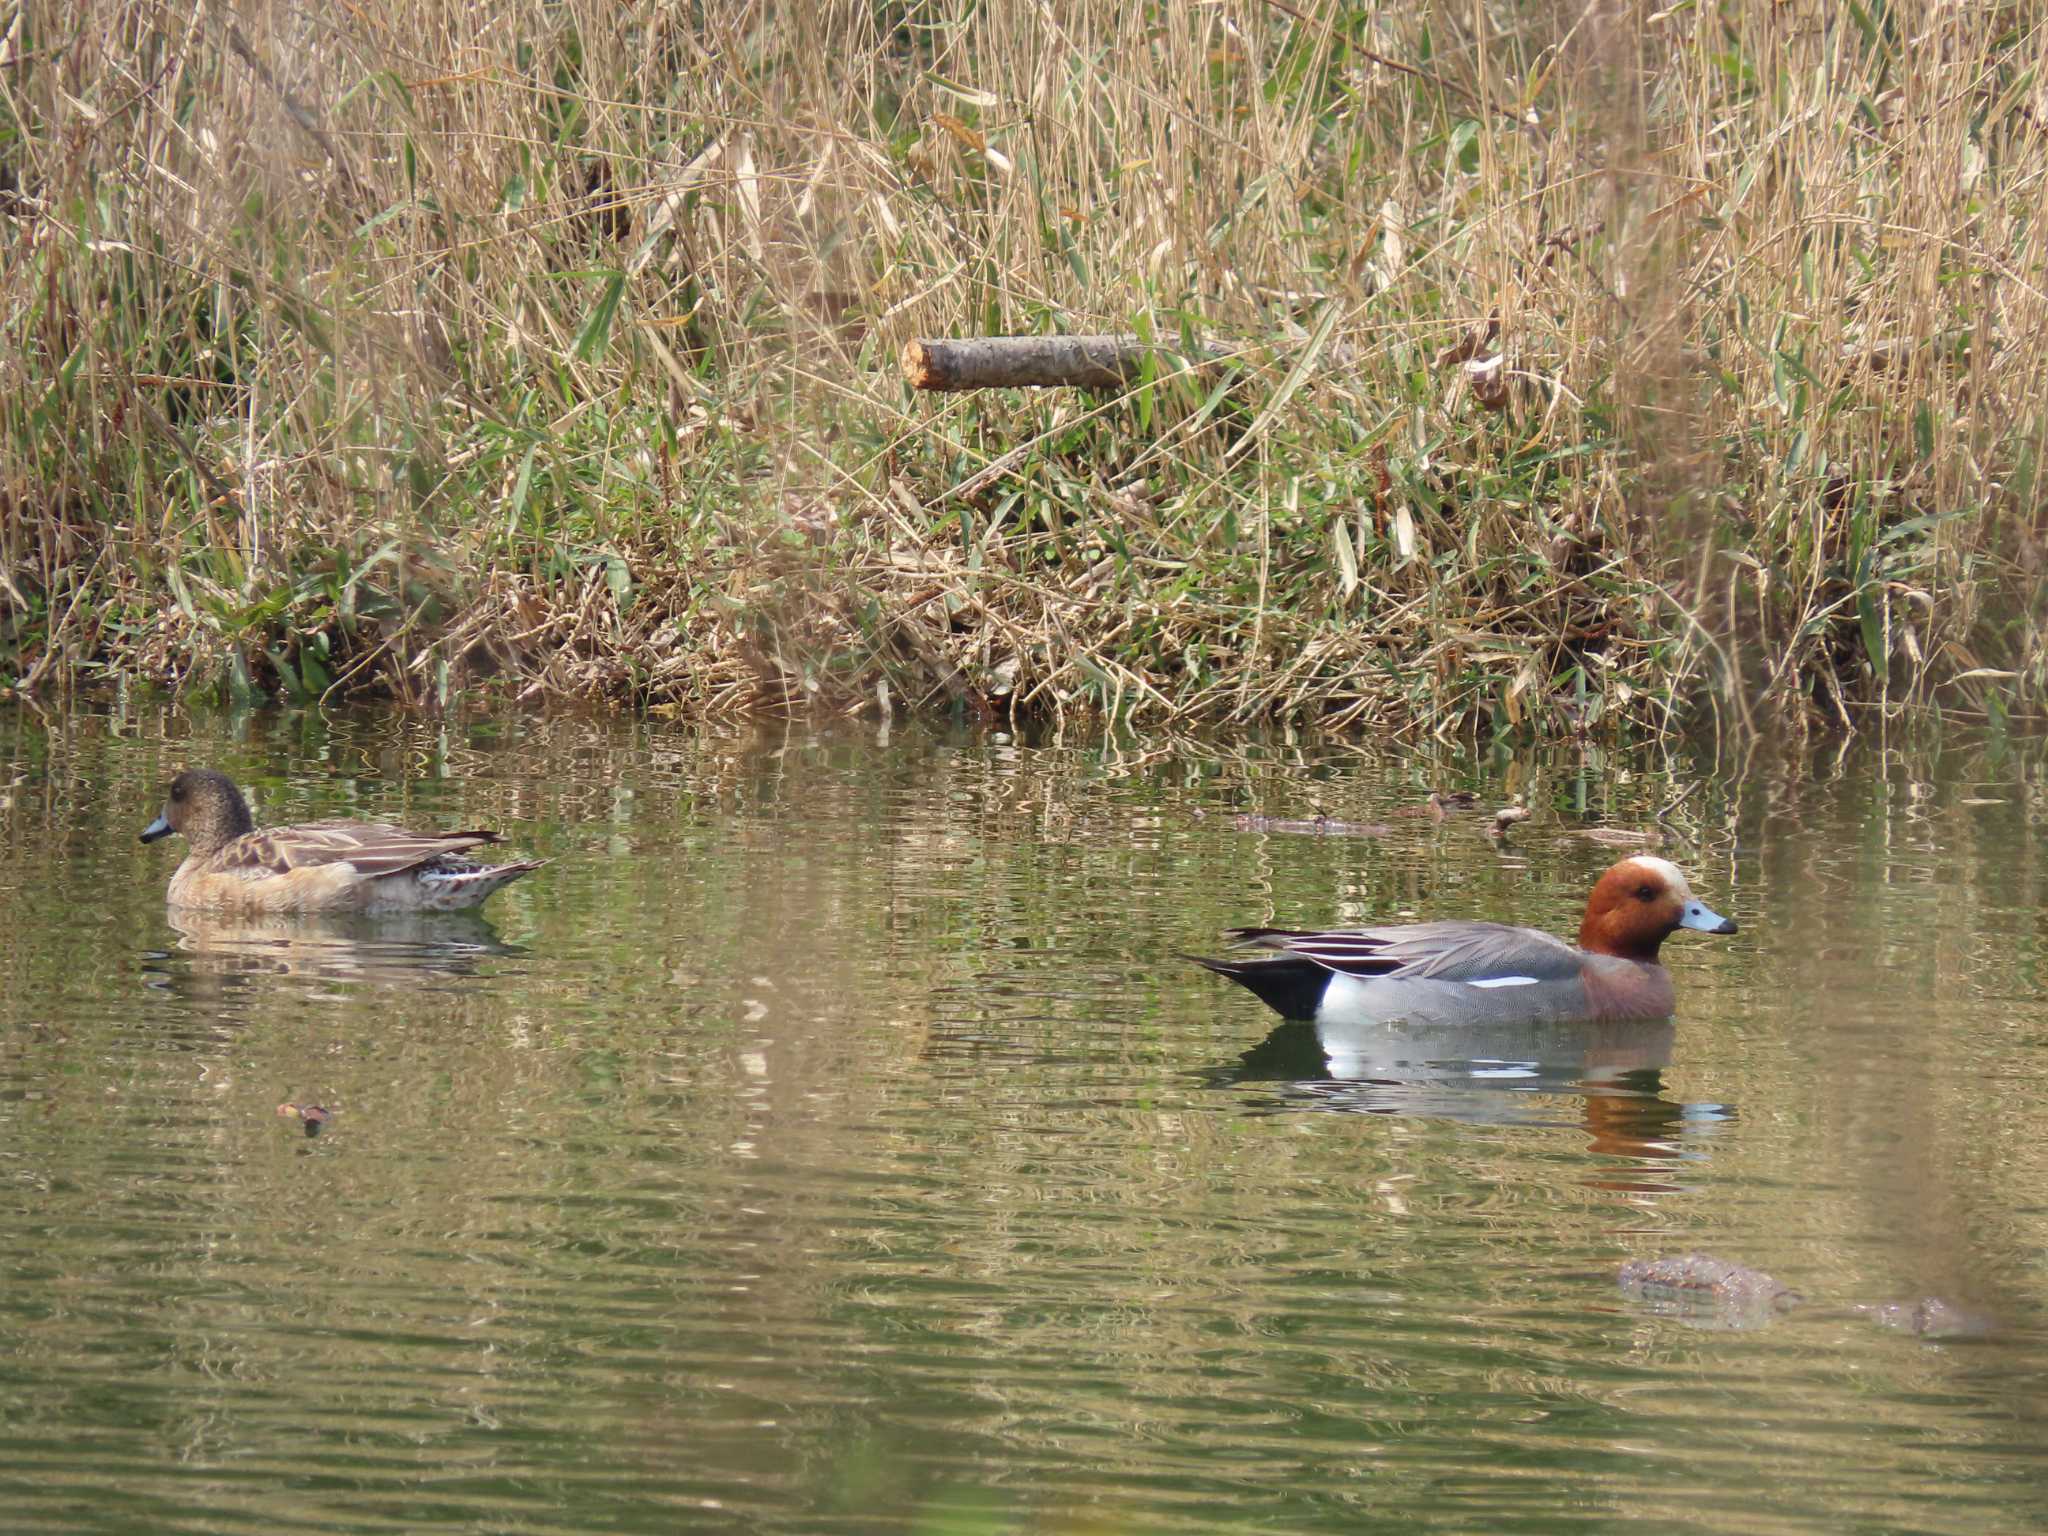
column 316, row 865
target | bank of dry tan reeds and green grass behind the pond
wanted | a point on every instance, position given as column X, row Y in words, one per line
column 1586, row 370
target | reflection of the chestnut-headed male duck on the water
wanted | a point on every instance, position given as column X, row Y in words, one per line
column 1502, row 1074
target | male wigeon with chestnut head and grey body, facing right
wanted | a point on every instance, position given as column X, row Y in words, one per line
column 1486, row 974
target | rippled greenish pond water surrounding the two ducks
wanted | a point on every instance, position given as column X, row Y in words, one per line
column 830, row 1140
